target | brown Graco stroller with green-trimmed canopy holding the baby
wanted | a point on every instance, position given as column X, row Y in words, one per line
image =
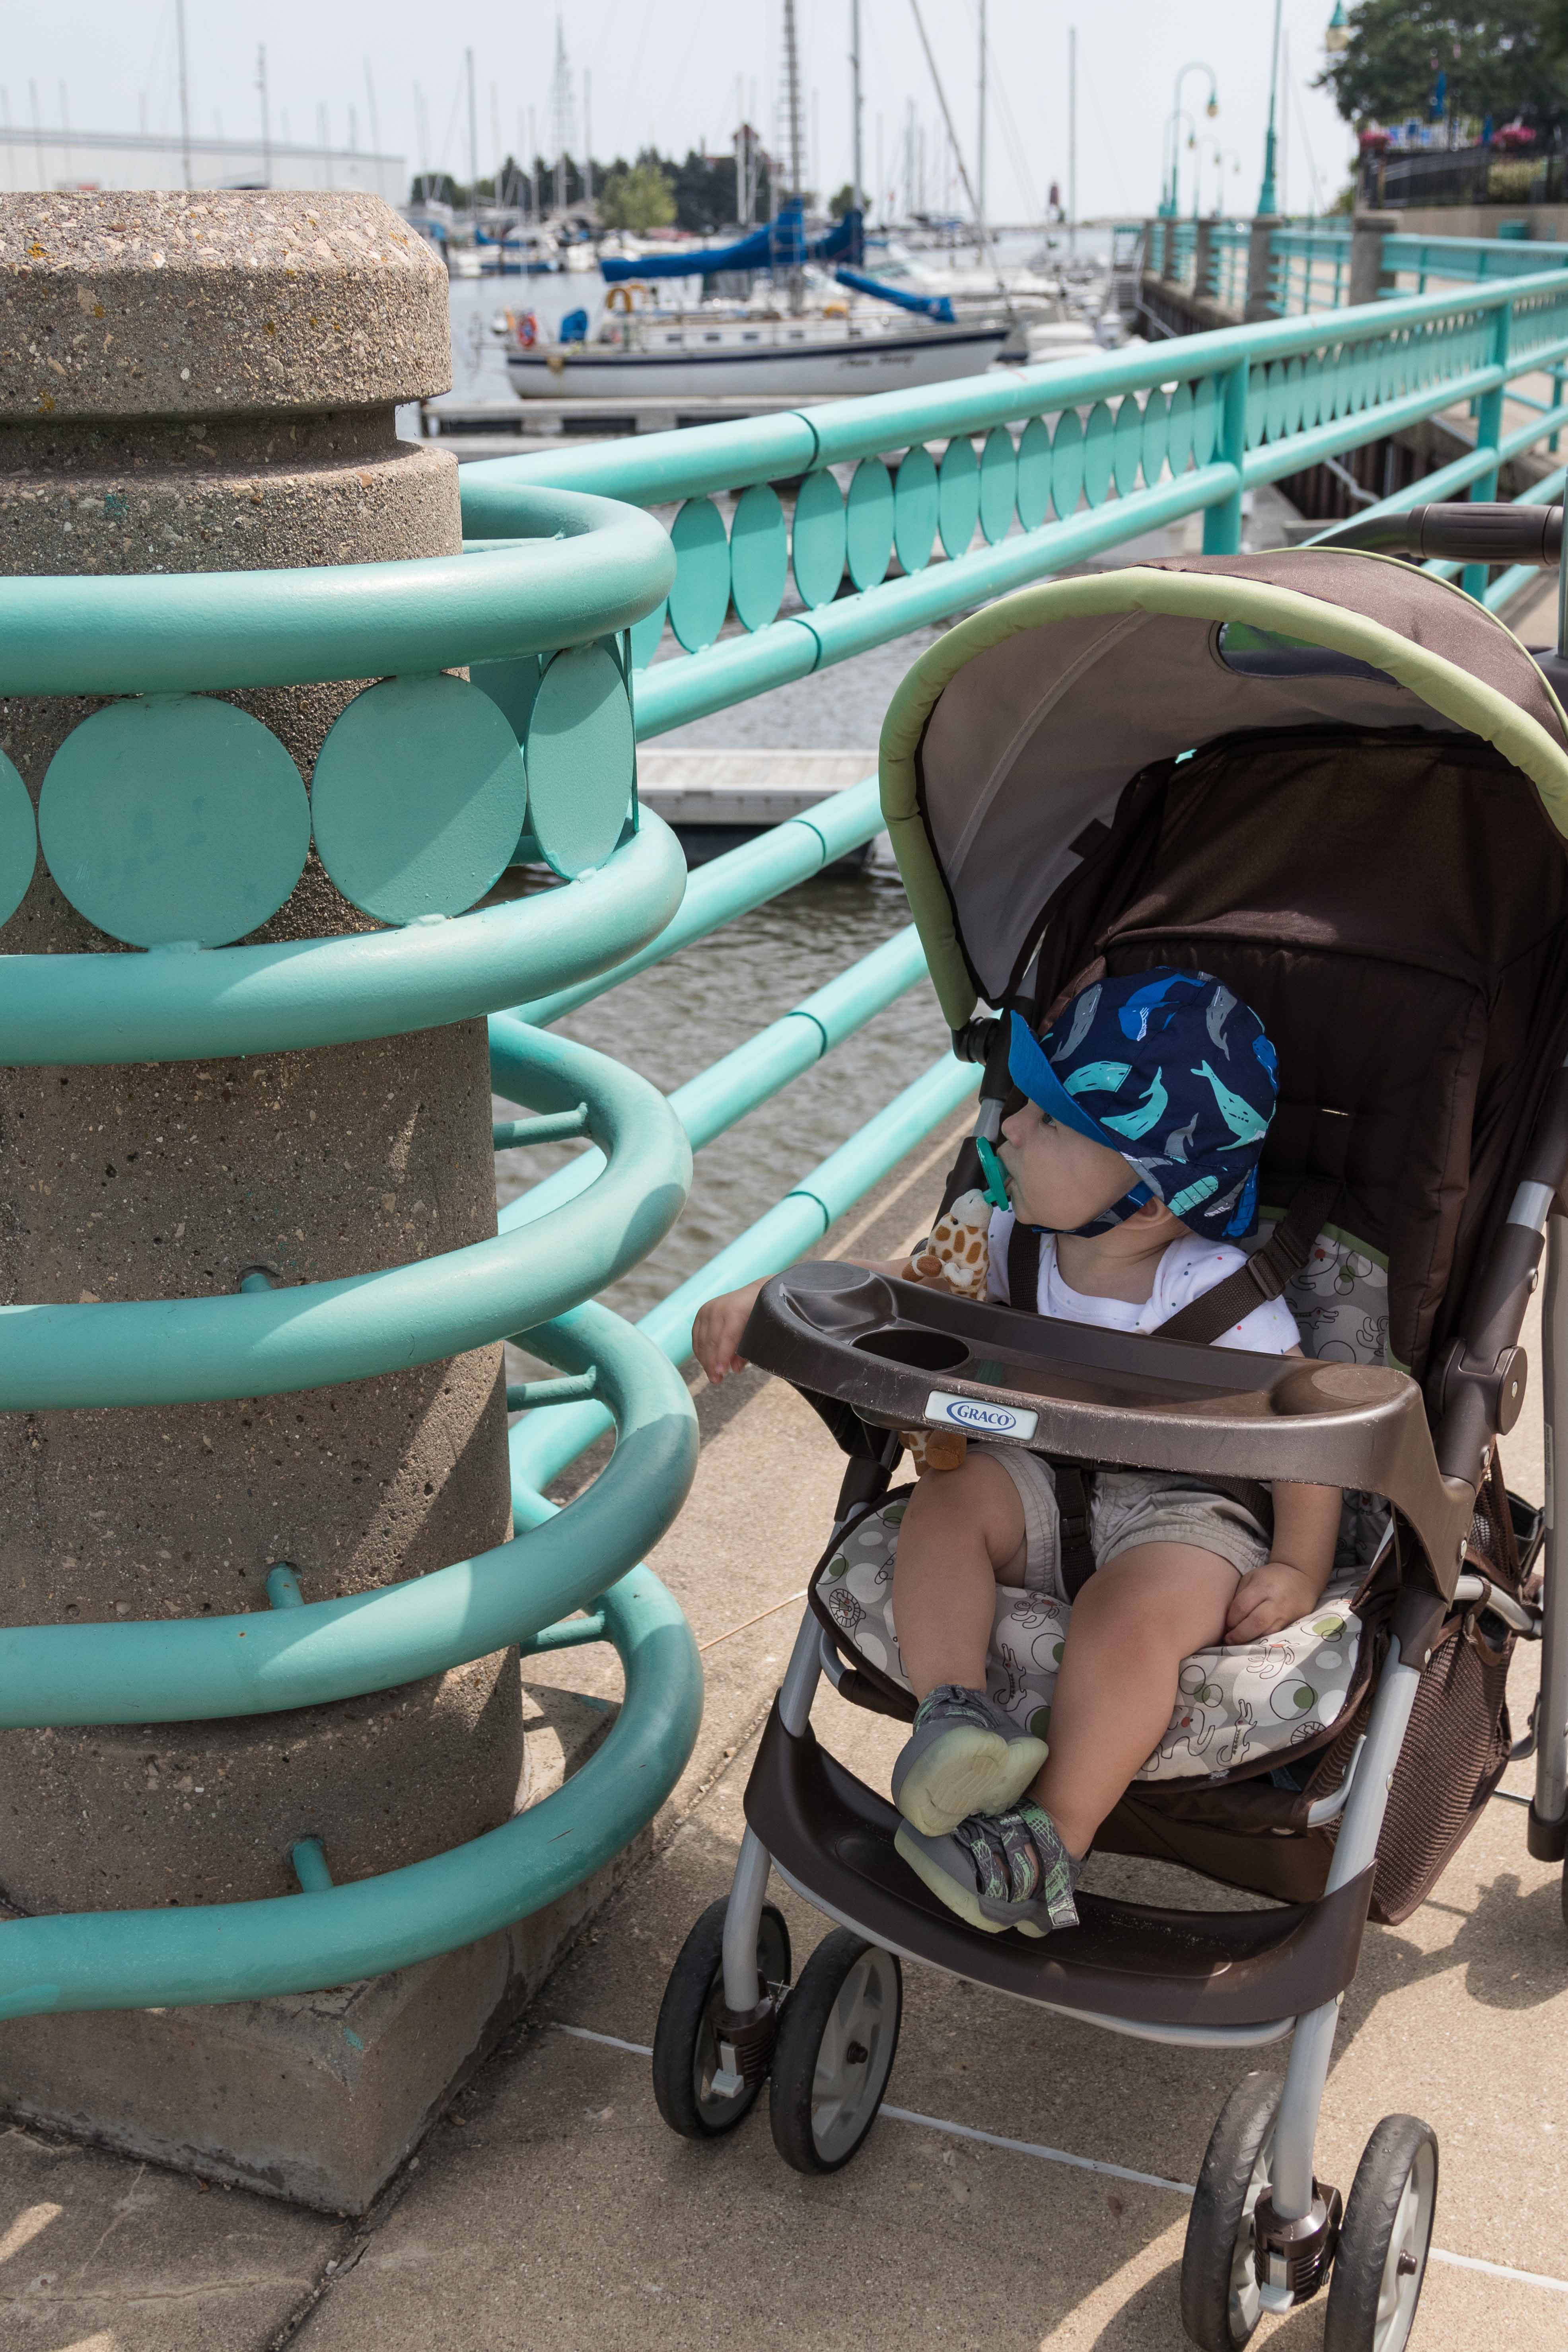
column 1341, row 787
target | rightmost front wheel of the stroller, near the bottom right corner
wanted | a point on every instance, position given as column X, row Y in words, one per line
column 1381, row 2264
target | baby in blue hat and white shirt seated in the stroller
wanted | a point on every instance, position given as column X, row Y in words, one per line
column 1137, row 1154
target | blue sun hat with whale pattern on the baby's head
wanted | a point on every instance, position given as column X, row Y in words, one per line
column 1172, row 1071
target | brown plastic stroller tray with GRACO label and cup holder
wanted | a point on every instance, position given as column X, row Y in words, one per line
column 909, row 1358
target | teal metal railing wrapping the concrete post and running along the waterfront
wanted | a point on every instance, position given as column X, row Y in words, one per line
column 793, row 542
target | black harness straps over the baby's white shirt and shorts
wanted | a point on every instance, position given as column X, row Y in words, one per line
column 1264, row 1278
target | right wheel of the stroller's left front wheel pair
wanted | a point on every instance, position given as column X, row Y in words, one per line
column 836, row 2052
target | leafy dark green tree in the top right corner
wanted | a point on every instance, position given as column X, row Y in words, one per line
column 1501, row 60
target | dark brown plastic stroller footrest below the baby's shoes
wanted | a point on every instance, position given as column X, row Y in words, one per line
column 833, row 1838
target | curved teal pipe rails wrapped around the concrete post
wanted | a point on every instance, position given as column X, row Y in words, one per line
column 565, row 587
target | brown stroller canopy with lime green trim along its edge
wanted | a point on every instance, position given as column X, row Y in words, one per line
column 1010, row 744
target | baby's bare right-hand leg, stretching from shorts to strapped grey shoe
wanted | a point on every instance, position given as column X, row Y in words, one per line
column 1132, row 1626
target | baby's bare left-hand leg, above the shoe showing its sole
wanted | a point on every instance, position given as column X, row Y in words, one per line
column 960, row 1535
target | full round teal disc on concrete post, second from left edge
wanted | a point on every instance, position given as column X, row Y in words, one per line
column 175, row 820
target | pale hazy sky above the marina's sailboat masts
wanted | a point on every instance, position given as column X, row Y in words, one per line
column 681, row 74
